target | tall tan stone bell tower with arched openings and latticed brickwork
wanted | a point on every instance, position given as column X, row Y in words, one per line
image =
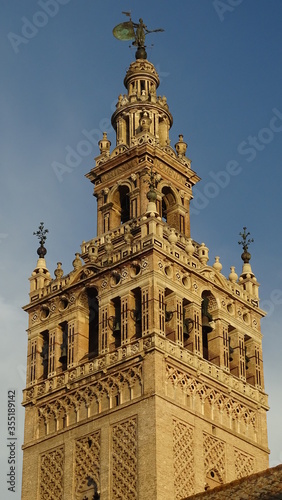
column 144, row 367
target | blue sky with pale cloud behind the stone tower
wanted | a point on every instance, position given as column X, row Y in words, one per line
column 62, row 71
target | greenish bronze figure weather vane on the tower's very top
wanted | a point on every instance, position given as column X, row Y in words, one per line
column 134, row 31
